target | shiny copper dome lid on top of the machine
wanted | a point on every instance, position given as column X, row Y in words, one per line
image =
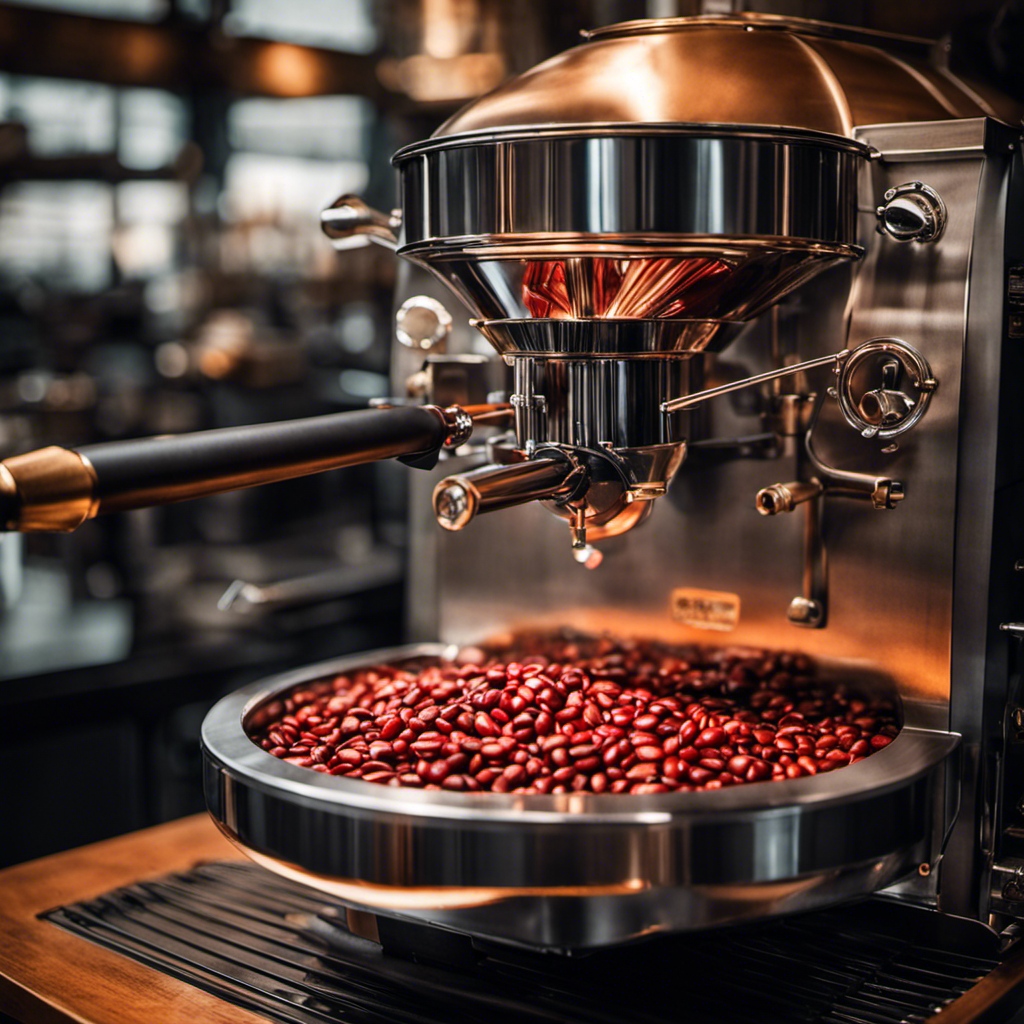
column 714, row 70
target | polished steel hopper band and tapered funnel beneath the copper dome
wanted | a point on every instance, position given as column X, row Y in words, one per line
column 700, row 224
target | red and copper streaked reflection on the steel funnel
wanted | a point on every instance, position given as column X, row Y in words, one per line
column 623, row 289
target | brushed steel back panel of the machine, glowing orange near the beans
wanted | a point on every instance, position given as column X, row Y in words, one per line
column 890, row 578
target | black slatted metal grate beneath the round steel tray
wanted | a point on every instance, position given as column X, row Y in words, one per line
column 281, row 950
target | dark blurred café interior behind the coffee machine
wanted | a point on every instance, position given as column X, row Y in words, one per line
column 163, row 164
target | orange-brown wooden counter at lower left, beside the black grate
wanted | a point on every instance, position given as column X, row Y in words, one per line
column 49, row 976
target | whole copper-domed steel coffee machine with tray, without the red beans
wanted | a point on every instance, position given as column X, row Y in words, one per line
column 758, row 284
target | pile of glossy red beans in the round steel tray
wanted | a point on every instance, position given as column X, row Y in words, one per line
column 590, row 715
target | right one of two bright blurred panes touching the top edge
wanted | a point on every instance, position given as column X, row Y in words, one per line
column 344, row 25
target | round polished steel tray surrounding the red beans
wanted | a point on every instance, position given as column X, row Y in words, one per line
column 577, row 871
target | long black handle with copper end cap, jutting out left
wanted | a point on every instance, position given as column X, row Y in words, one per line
column 59, row 490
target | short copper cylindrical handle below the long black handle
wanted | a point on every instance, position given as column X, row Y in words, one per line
column 458, row 499
